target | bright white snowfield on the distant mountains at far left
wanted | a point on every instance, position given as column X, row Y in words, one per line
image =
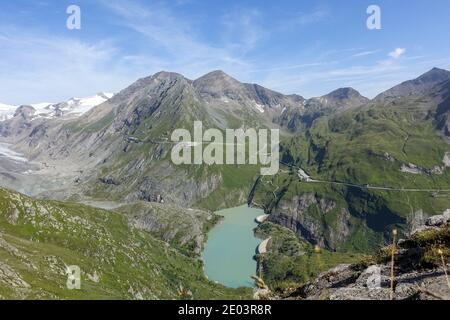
column 49, row 110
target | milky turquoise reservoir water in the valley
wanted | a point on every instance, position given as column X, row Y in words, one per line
column 230, row 248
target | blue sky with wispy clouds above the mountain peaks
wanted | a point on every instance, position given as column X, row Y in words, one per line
column 304, row 47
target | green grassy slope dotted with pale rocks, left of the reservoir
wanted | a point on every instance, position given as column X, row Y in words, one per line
column 39, row 238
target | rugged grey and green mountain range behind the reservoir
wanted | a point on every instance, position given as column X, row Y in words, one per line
column 363, row 156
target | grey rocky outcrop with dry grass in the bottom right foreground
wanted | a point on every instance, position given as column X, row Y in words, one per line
column 418, row 270
